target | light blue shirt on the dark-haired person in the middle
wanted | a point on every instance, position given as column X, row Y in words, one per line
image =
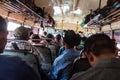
column 61, row 69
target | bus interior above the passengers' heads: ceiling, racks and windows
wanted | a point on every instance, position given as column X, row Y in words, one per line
column 85, row 17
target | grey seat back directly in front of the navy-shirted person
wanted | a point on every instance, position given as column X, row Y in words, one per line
column 26, row 56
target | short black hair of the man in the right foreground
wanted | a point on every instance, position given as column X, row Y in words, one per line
column 99, row 44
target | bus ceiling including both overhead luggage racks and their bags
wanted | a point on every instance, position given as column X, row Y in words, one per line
column 63, row 14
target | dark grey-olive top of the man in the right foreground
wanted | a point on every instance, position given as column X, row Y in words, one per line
column 105, row 69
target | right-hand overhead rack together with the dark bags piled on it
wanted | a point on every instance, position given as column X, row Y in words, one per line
column 104, row 16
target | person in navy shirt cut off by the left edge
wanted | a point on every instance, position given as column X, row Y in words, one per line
column 13, row 68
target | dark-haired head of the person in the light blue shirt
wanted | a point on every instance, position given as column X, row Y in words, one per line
column 69, row 39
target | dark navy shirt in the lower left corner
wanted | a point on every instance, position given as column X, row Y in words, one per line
column 13, row 68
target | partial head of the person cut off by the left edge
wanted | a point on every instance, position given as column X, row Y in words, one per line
column 3, row 34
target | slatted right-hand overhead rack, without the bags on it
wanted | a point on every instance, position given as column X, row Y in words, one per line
column 113, row 16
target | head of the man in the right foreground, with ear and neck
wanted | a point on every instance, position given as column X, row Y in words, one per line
column 99, row 46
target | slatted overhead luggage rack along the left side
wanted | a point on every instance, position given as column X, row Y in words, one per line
column 18, row 7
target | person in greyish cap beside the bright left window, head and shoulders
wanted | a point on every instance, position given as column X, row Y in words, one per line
column 20, row 33
